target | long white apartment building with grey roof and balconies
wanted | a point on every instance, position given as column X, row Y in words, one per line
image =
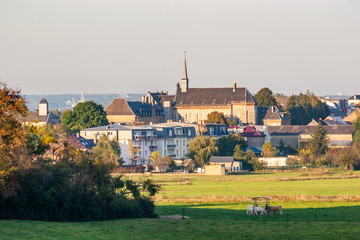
column 137, row 142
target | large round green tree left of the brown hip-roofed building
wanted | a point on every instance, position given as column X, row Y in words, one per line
column 84, row 115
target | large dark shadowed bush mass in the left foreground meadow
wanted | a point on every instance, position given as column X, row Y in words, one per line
column 75, row 188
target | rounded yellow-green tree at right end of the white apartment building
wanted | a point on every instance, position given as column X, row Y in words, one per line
column 201, row 149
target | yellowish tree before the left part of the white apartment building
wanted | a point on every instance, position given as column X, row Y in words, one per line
column 107, row 152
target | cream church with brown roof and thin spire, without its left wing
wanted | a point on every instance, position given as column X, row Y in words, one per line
column 194, row 104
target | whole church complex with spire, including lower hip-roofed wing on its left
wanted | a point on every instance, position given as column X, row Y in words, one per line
column 190, row 105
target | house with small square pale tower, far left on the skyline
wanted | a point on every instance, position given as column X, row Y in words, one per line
column 42, row 116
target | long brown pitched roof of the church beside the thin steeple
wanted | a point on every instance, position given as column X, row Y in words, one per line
column 212, row 96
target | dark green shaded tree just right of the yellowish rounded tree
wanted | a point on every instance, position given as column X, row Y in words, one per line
column 226, row 145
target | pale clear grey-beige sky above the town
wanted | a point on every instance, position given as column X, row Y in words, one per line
column 135, row 46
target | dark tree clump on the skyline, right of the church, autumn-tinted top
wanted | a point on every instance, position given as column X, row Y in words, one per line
column 305, row 107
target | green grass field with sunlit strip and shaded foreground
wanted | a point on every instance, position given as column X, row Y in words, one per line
column 317, row 205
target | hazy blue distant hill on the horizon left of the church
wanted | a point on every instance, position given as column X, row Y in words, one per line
column 68, row 101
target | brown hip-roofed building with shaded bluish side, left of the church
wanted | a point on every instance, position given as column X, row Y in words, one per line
column 128, row 112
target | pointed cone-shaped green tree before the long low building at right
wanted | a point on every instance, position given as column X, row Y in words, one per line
column 319, row 141
